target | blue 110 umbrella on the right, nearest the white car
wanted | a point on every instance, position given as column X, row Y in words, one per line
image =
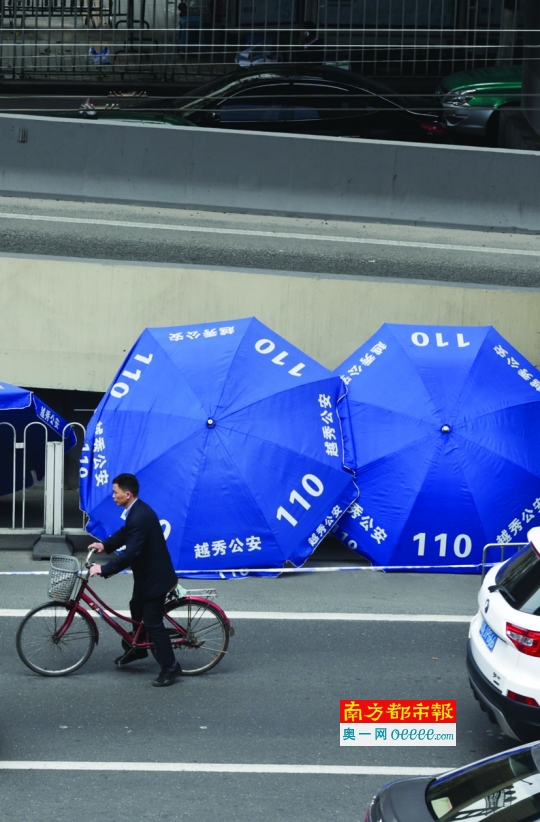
column 446, row 422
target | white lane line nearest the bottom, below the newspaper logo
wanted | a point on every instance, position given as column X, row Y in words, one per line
column 210, row 767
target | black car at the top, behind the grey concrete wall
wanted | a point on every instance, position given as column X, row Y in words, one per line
column 298, row 99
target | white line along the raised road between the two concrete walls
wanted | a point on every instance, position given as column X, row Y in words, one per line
column 281, row 235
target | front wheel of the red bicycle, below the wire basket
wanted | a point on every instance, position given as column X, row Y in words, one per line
column 39, row 647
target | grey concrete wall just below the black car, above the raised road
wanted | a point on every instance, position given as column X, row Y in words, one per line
column 270, row 172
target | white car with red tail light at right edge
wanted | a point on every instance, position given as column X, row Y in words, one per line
column 503, row 654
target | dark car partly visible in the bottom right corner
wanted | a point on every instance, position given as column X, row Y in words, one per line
column 502, row 788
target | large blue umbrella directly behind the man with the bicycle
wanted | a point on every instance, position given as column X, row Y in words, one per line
column 236, row 439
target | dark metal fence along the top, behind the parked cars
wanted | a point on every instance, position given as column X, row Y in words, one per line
column 167, row 40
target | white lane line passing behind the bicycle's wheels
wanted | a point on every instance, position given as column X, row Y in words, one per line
column 299, row 615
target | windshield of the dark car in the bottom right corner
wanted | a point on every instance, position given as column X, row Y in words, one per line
column 506, row 789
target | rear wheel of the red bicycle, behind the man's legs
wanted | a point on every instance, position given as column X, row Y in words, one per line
column 206, row 636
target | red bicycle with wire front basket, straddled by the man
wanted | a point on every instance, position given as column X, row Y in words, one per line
column 58, row 637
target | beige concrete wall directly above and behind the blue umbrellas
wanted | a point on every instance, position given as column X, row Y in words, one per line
column 68, row 324
